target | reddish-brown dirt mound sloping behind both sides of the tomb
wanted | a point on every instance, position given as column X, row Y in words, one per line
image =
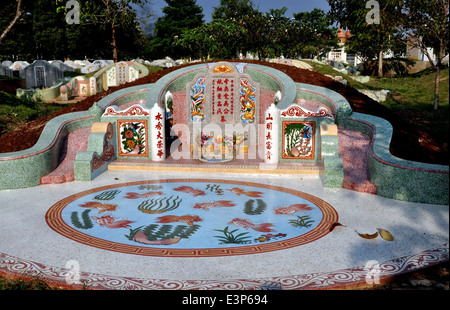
column 408, row 142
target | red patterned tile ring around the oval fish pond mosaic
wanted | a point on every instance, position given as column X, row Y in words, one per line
column 55, row 221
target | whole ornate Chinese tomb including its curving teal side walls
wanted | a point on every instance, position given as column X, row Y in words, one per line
column 152, row 127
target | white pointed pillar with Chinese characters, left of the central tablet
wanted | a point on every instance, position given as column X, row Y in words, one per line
column 157, row 133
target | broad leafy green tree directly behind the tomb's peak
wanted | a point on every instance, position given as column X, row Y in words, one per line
column 237, row 27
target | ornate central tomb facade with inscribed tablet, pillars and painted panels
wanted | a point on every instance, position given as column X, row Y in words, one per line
column 238, row 114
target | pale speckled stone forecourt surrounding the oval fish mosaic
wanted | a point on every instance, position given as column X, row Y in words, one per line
column 420, row 234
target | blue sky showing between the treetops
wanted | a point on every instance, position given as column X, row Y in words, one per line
column 294, row 6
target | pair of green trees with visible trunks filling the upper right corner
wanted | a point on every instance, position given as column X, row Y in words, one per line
column 420, row 24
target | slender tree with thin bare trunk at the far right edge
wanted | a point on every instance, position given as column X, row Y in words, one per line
column 425, row 24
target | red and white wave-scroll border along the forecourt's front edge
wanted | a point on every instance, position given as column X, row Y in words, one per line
column 351, row 277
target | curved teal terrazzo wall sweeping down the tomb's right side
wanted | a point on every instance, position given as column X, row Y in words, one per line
column 394, row 177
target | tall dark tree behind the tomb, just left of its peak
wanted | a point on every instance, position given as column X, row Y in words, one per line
column 179, row 15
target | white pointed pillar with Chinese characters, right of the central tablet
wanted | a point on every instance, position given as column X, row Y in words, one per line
column 271, row 135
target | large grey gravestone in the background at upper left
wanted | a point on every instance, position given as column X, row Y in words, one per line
column 41, row 74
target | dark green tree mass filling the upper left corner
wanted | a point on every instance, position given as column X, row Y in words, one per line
column 41, row 32
